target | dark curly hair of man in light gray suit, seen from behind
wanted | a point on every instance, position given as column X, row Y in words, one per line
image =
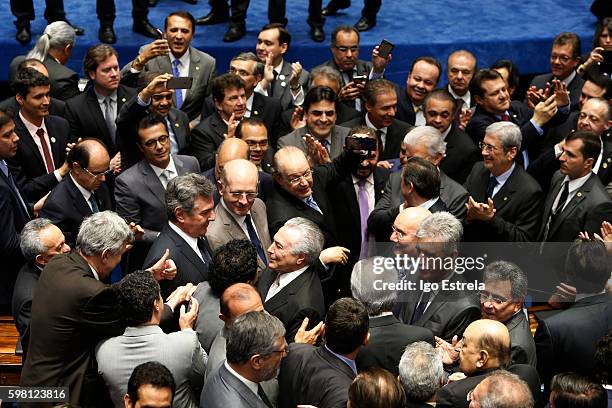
column 137, row 293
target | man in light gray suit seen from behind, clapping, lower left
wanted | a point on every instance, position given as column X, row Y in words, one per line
column 143, row 340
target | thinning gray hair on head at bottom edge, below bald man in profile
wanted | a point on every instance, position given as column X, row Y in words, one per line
column 506, row 390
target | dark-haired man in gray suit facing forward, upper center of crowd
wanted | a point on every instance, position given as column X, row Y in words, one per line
column 320, row 117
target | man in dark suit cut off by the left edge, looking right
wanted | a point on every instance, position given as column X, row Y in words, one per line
column 15, row 212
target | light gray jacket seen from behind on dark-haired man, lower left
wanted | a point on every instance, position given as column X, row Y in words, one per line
column 180, row 352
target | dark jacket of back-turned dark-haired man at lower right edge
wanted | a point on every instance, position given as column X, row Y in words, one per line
column 567, row 340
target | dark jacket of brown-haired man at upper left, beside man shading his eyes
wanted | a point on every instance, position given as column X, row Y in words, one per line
column 87, row 119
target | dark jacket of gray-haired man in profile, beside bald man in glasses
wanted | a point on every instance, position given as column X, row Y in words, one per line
column 190, row 267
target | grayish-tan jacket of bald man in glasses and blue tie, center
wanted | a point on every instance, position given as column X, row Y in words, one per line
column 225, row 228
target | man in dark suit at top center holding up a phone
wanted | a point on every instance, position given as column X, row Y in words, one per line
column 345, row 52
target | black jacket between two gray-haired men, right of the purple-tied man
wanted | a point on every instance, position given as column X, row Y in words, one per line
column 461, row 154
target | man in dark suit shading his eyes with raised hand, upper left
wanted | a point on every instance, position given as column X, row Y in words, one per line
column 154, row 97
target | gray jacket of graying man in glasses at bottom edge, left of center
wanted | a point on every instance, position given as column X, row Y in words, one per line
column 223, row 390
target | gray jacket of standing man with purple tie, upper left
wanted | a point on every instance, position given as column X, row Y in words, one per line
column 201, row 68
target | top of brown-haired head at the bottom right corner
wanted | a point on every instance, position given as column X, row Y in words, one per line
column 571, row 390
